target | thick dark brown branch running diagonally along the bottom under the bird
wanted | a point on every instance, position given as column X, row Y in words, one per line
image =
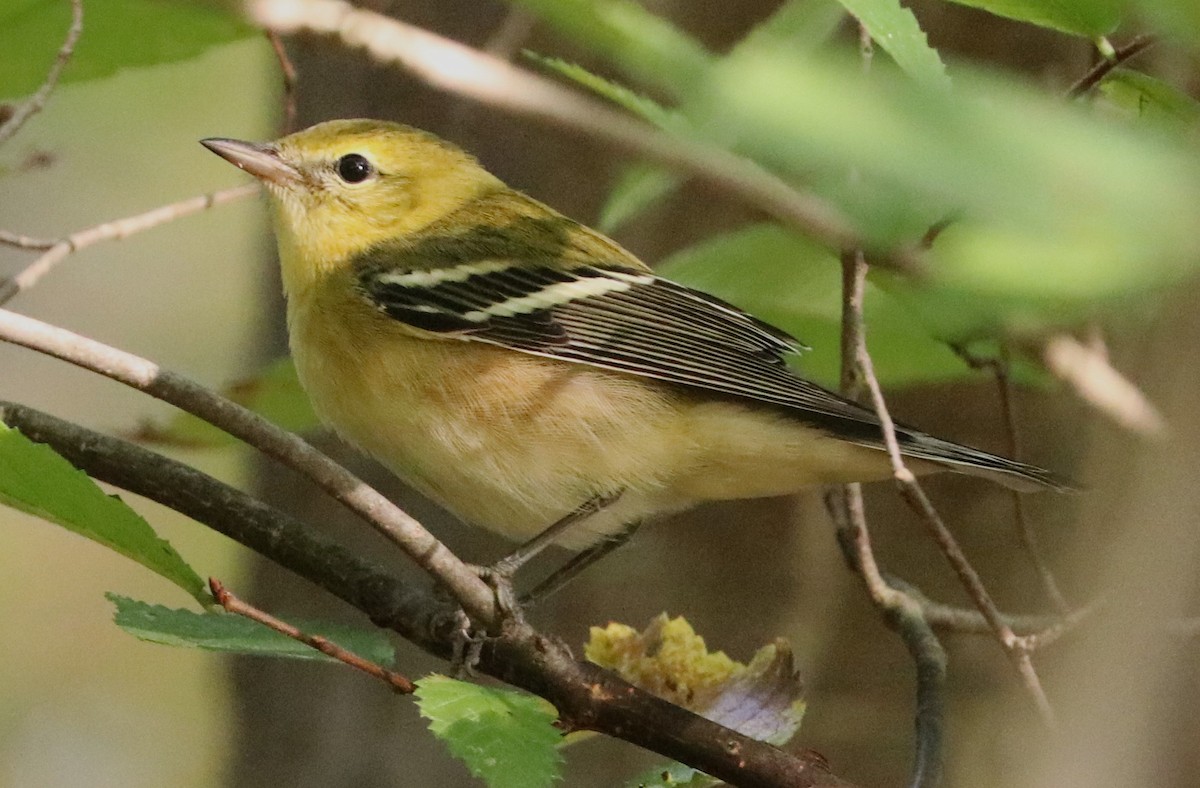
column 586, row 696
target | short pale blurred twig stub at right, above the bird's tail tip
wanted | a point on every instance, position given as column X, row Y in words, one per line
column 1097, row 383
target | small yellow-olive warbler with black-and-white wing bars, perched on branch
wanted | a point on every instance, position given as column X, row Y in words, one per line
column 524, row 370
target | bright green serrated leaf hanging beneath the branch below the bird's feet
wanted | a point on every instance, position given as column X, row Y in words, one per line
column 506, row 738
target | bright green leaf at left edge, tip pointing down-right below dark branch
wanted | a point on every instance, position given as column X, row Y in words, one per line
column 38, row 482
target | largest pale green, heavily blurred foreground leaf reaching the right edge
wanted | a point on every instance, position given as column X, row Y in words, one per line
column 1057, row 204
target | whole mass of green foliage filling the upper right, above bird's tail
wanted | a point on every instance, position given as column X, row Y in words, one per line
column 1058, row 214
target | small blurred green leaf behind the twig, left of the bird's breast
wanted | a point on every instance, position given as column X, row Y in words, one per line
column 275, row 394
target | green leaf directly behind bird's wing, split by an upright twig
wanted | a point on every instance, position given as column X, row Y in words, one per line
column 793, row 284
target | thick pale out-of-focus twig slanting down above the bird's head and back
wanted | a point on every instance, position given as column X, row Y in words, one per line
column 454, row 68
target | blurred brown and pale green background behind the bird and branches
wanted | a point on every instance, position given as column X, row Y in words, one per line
column 85, row 705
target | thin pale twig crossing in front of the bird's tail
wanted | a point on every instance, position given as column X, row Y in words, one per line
column 1016, row 647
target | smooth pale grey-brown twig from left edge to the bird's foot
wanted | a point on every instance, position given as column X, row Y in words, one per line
column 369, row 504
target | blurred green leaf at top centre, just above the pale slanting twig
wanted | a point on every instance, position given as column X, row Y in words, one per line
column 644, row 45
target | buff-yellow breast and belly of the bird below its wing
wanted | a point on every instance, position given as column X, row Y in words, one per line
column 513, row 443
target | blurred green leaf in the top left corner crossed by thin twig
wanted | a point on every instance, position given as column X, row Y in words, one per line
column 117, row 34
